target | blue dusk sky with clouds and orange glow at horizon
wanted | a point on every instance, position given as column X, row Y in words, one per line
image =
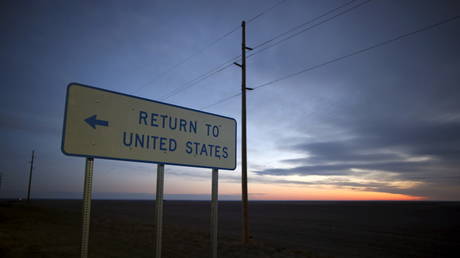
column 381, row 123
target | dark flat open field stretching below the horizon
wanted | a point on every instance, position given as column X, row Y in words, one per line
column 51, row 228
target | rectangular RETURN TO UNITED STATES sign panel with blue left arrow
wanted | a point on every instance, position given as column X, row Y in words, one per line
column 100, row 123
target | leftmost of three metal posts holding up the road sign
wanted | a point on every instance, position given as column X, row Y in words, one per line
column 87, row 206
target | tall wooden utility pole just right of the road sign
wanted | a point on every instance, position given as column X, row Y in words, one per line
column 244, row 169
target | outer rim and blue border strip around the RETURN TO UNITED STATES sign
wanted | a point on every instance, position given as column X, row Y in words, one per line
column 145, row 99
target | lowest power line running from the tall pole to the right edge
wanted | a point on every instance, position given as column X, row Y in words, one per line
column 383, row 43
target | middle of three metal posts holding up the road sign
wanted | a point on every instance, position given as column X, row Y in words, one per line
column 159, row 209
